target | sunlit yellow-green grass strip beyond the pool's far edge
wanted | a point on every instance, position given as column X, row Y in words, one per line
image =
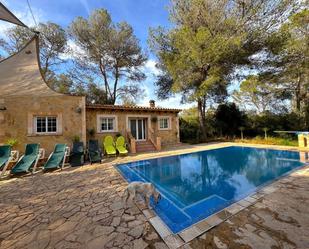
column 269, row 140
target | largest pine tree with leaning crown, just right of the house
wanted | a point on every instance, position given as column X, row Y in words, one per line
column 210, row 40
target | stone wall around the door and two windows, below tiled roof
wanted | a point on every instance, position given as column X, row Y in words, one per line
column 167, row 136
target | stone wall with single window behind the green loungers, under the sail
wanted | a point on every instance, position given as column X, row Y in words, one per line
column 17, row 120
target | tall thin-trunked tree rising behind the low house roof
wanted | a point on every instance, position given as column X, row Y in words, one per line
column 111, row 53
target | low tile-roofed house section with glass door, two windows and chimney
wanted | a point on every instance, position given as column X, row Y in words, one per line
column 150, row 127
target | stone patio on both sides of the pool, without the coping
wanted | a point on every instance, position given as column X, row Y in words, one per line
column 82, row 208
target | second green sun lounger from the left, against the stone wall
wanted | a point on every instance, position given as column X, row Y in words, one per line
column 28, row 160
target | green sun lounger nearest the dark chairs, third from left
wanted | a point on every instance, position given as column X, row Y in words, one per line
column 57, row 158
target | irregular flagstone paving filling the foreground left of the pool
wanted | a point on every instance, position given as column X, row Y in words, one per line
column 76, row 208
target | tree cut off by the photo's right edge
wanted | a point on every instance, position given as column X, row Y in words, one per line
column 287, row 64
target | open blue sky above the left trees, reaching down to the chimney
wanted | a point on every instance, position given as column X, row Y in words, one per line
column 140, row 14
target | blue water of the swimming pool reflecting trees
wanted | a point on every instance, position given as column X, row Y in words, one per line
column 196, row 185
